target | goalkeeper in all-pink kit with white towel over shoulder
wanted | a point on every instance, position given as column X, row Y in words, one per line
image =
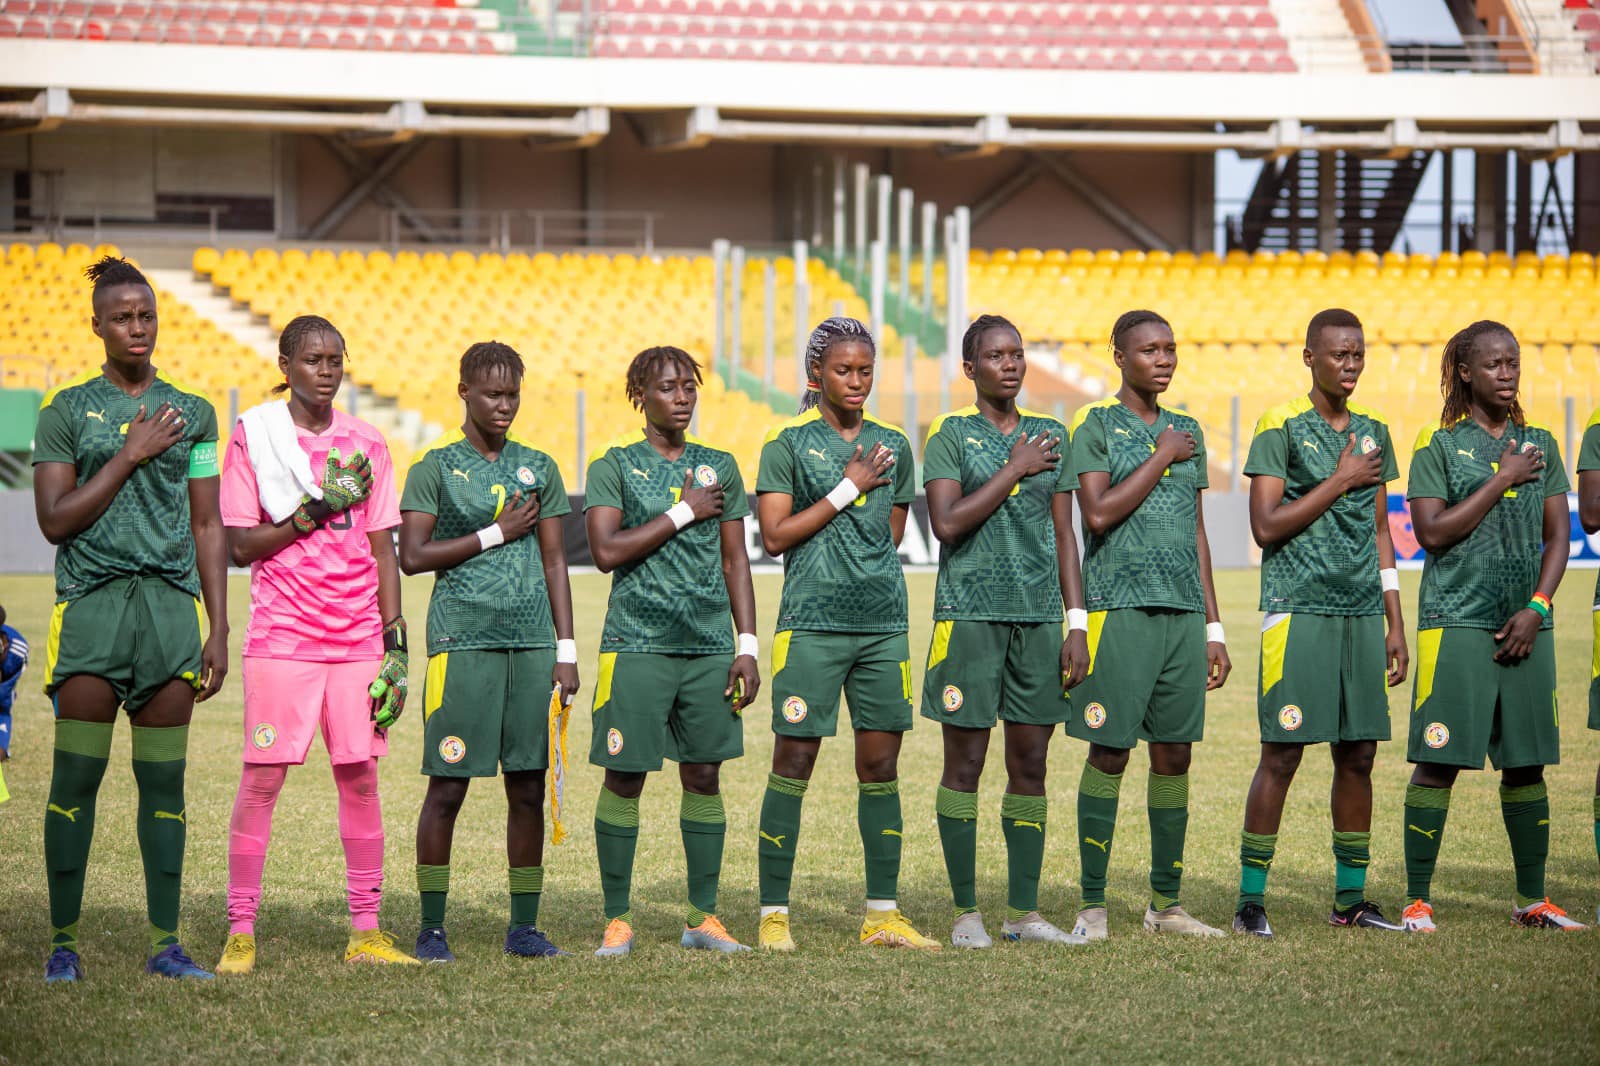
column 324, row 625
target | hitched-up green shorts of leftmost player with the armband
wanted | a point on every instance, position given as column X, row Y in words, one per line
column 137, row 635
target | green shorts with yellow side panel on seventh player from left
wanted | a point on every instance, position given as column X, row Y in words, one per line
column 1146, row 679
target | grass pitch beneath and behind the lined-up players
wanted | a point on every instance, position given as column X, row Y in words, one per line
column 1478, row 992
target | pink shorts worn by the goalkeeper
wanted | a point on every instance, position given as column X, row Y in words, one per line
column 287, row 700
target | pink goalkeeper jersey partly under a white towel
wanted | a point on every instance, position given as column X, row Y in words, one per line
column 318, row 599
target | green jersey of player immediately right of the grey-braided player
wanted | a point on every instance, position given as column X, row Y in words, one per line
column 1006, row 571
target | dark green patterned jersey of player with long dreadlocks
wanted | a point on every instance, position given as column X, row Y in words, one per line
column 1492, row 574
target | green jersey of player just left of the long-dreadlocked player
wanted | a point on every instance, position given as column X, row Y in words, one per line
column 1332, row 566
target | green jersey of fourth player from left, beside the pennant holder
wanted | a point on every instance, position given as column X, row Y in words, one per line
column 676, row 599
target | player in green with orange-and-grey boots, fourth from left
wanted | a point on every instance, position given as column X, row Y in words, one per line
column 665, row 513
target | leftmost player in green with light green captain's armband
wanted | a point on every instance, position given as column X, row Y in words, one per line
column 126, row 486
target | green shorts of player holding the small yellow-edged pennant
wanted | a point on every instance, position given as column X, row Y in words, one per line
column 487, row 711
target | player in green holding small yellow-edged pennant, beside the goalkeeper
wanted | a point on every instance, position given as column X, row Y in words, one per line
column 500, row 635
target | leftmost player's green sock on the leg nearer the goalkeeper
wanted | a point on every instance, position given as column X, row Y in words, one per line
column 159, row 759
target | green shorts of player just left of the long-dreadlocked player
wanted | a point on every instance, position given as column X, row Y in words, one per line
column 1324, row 679
